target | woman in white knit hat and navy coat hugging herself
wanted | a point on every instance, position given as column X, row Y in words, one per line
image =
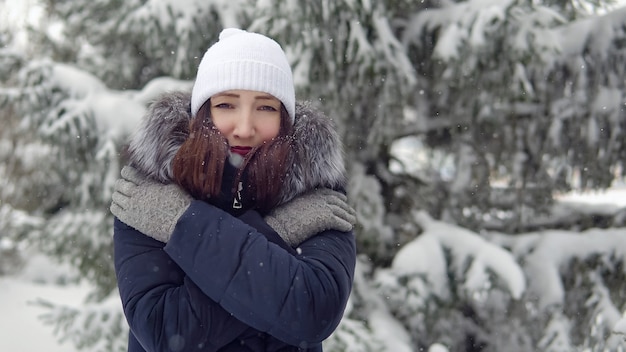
column 231, row 231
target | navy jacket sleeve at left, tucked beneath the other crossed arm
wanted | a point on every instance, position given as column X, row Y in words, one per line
column 164, row 308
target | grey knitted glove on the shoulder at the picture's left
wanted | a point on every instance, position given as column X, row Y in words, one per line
column 149, row 206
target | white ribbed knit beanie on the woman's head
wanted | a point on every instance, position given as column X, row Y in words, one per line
column 248, row 61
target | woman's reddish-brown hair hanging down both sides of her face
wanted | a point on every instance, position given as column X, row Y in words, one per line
column 198, row 165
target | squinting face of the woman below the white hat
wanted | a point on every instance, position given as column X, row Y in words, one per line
column 246, row 118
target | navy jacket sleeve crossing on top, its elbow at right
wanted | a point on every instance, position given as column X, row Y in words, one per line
column 298, row 299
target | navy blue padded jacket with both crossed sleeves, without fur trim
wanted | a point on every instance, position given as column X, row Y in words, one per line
column 223, row 283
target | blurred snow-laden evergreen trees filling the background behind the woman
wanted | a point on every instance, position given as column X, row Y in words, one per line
column 463, row 122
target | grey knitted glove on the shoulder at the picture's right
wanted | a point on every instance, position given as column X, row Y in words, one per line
column 309, row 214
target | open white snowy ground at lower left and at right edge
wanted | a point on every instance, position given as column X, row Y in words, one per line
column 21, row 330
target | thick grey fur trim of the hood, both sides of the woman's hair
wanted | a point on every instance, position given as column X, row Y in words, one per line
column 316, row 159
